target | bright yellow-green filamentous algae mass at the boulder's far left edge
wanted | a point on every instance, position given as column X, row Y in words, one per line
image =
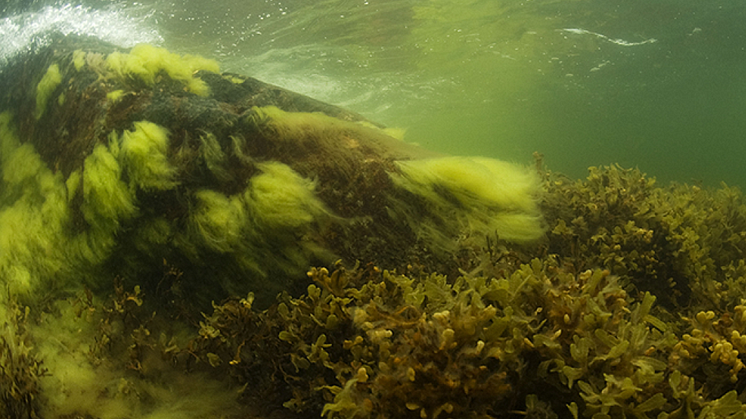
column 38, row 243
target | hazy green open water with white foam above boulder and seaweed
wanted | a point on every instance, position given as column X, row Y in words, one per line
column 654, row 84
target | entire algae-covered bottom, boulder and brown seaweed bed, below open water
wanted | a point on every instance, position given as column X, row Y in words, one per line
column 177, row 242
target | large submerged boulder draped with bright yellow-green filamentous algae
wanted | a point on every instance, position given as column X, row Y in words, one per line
column 117, row 162
